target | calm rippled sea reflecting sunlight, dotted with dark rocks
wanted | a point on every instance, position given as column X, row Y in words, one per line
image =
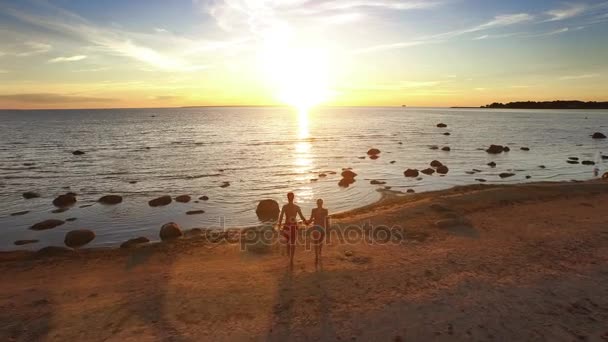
column 263, row 153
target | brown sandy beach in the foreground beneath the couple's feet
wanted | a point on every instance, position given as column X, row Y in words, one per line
column 520, row 262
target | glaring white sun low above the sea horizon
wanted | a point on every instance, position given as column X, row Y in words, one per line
column 299, row 77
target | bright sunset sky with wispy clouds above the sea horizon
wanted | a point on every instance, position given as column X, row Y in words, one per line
column 153, row 53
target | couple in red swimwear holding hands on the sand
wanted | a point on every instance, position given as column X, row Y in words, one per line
column 319, row 217
